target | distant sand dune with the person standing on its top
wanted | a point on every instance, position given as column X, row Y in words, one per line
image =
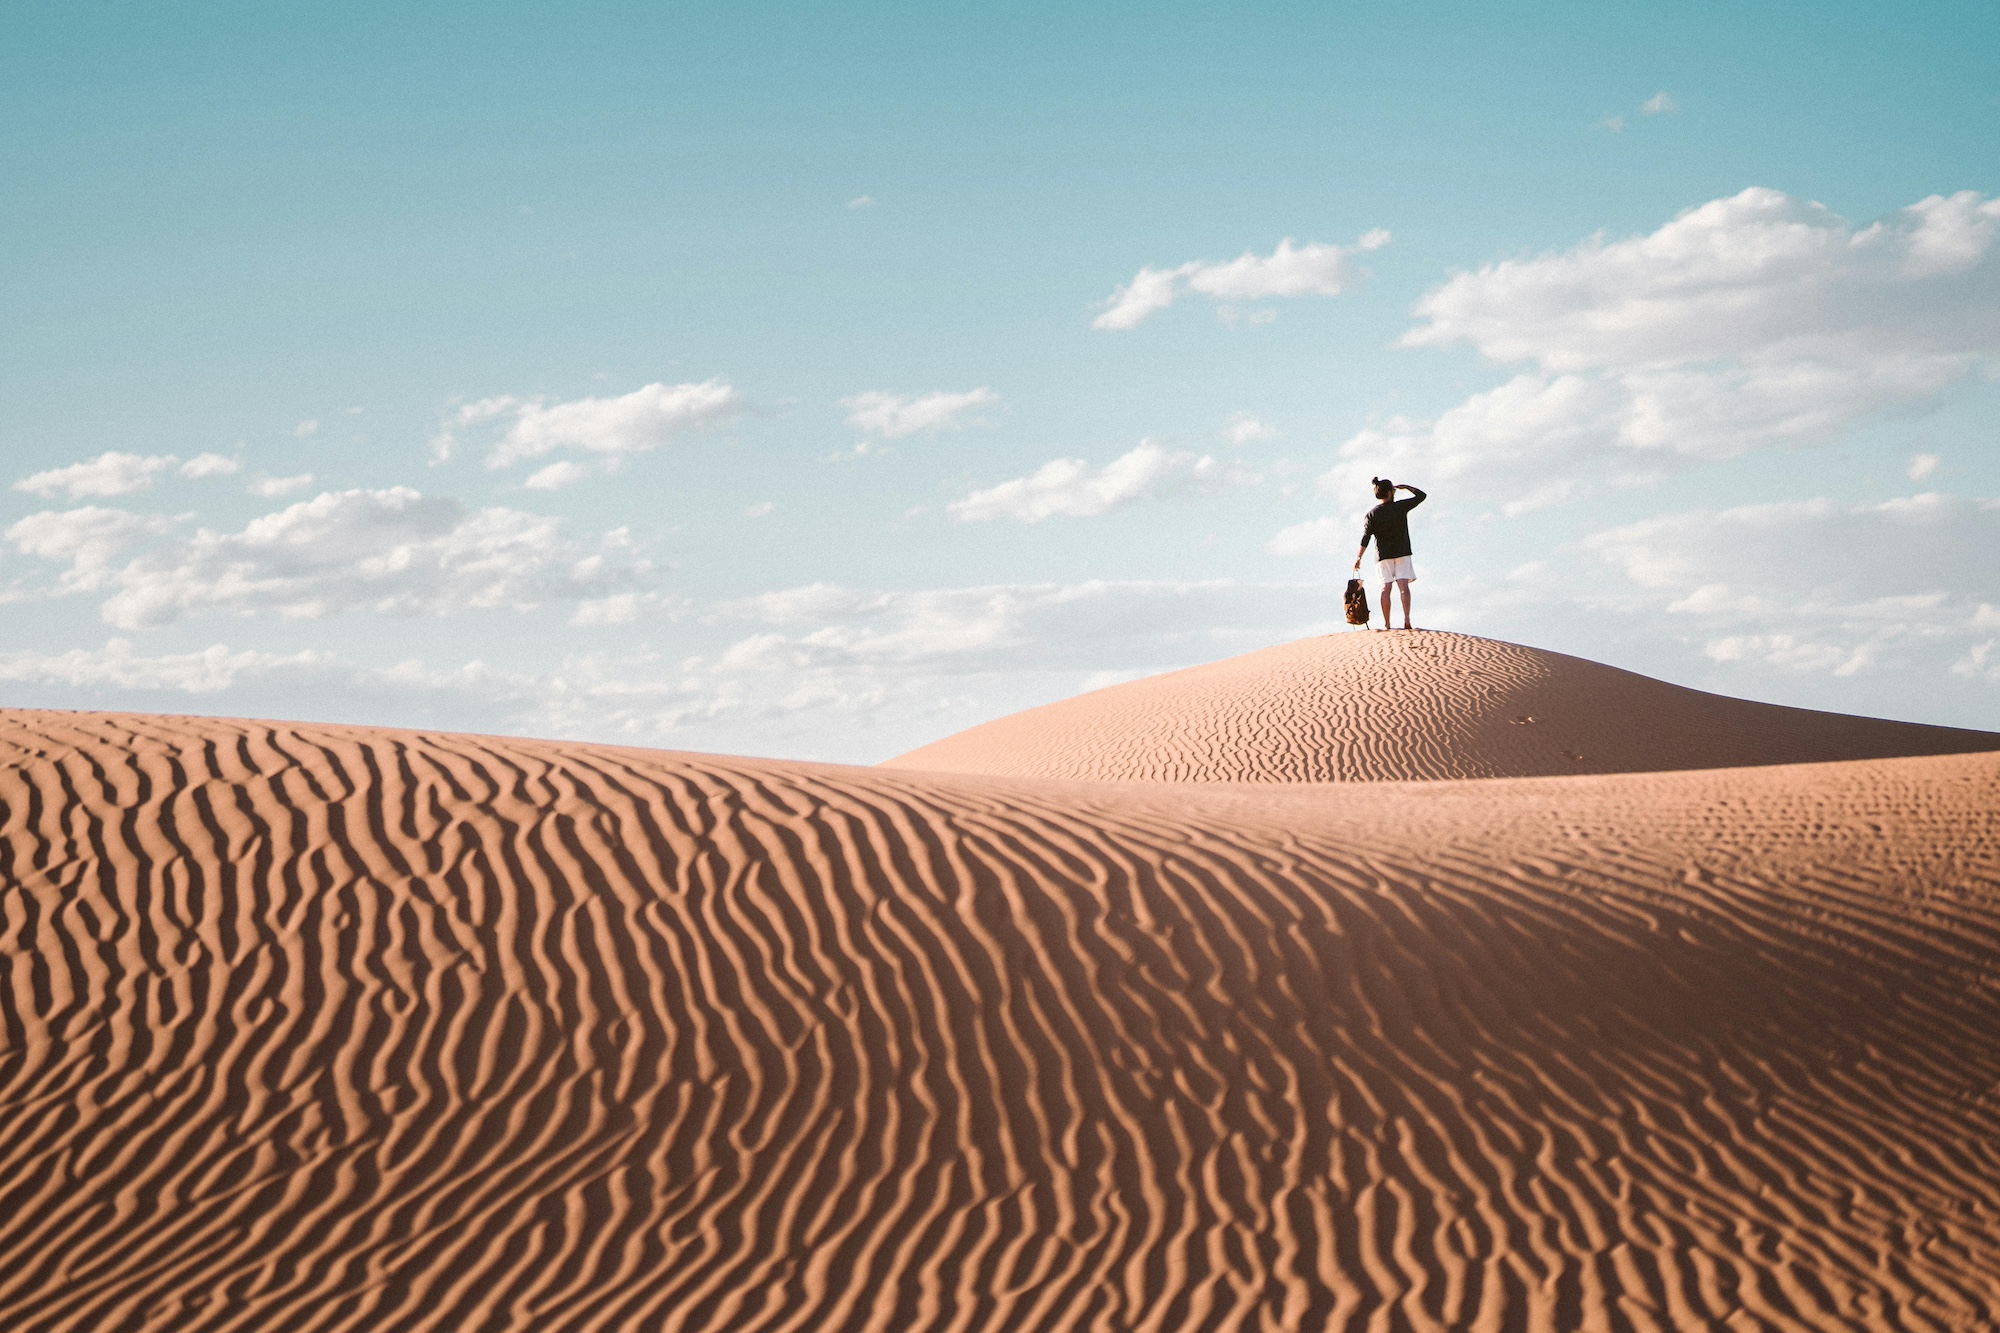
column 1411, row 706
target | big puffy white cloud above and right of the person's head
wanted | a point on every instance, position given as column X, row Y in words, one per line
column 1749, row 323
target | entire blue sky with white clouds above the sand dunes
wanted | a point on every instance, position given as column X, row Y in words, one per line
column 815, row 381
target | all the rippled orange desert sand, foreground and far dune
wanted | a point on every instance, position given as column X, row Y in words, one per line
column 327, row 1028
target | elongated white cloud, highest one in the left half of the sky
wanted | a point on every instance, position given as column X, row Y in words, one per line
column 633, row 423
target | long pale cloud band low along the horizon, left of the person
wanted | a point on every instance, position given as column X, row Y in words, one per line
column 807, row 674
